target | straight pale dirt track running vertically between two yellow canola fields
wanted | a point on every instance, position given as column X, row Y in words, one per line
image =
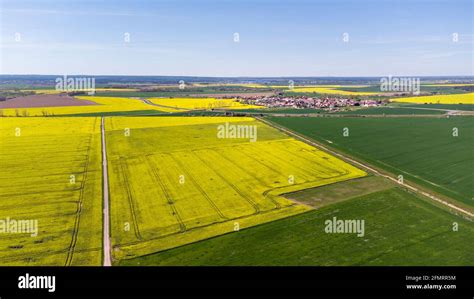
column 106, row 227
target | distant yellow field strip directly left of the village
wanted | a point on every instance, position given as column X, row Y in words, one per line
column 200, row 103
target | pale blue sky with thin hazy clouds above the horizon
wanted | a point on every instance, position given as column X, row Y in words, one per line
column 276, row 38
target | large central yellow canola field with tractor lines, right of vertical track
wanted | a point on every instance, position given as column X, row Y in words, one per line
column 174, row 181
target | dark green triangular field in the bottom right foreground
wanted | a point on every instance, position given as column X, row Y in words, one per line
column 401, row 229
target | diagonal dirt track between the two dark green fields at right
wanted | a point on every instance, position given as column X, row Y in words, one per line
column 298, row 136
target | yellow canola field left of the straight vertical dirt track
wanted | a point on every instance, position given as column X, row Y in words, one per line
column 50, row 178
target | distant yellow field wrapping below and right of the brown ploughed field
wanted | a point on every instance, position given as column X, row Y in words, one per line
column 105, row 104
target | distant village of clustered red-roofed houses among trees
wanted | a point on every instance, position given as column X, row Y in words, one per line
column 307, row 102
